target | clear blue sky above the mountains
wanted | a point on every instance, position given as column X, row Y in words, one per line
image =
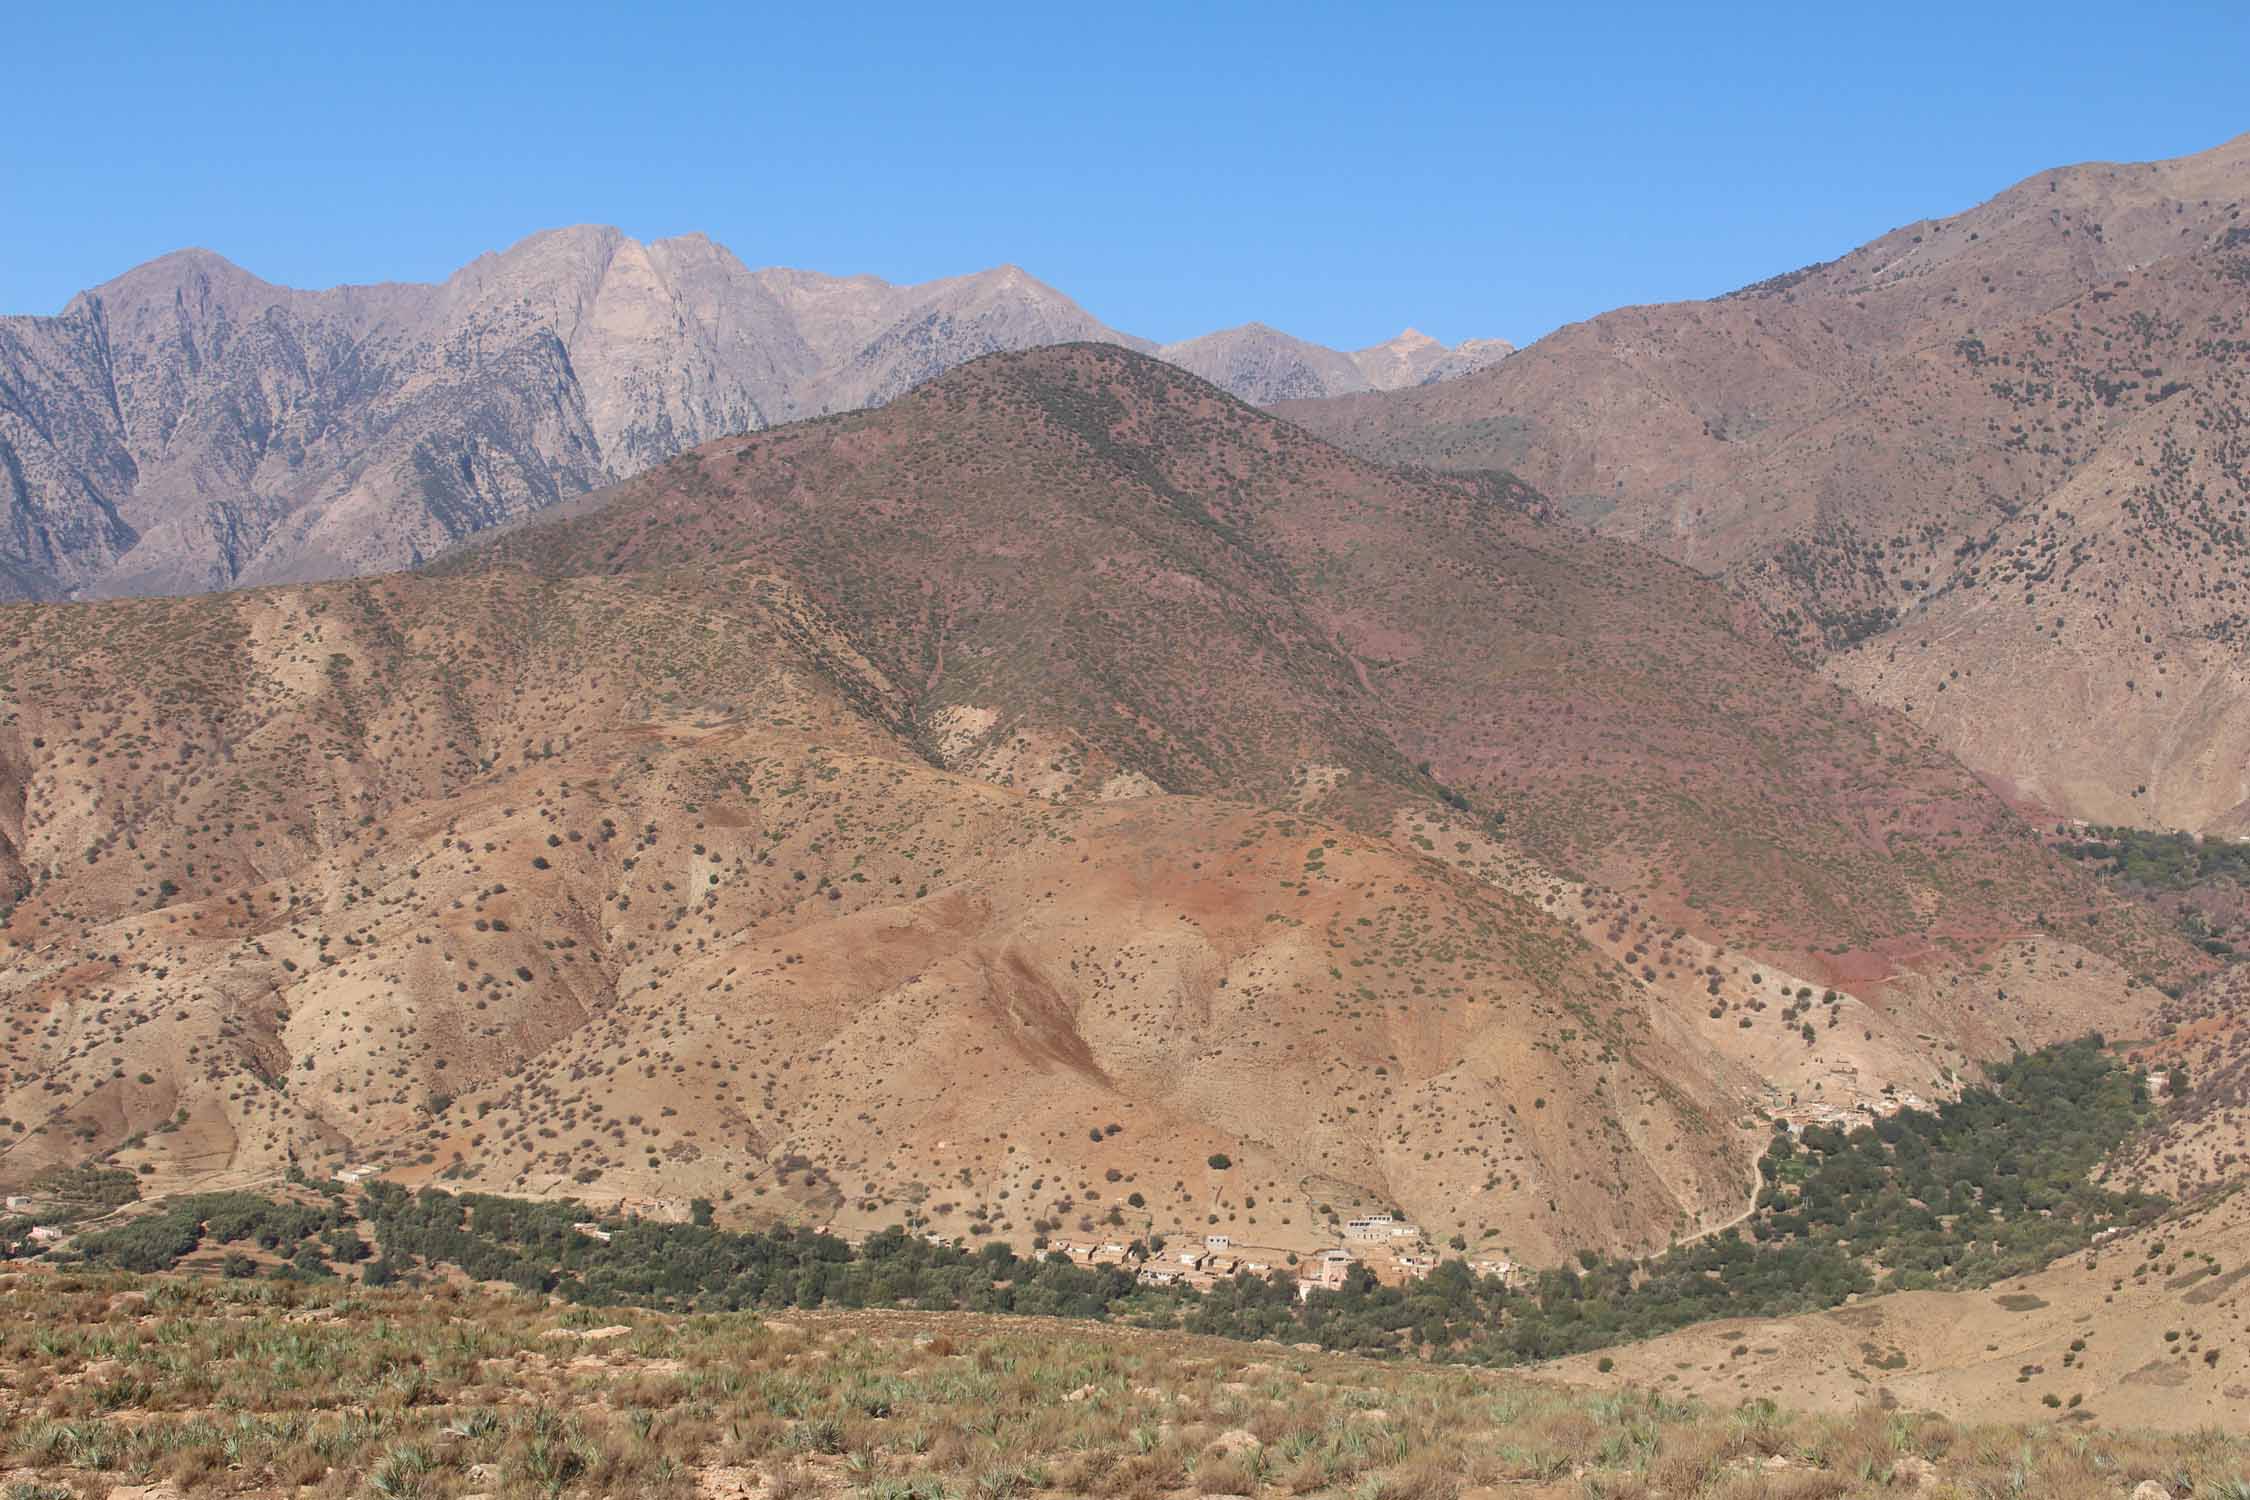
column 1338, row 172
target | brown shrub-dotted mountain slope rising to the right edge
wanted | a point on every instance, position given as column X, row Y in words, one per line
column 1988, row 469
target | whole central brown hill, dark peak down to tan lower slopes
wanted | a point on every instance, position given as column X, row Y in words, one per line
column 863, row 820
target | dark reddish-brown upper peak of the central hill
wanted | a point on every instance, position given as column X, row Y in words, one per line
column 1032, row 545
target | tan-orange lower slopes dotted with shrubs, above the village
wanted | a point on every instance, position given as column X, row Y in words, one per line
column 748, row 943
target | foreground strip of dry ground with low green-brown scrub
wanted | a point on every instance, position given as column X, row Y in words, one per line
column 240, row 1389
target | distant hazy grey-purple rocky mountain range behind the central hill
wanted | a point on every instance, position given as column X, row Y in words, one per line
column 195, row 428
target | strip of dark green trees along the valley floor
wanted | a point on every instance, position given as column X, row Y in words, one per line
column 1981, row 1189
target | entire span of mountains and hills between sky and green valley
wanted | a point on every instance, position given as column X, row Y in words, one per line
column 867, row 754
